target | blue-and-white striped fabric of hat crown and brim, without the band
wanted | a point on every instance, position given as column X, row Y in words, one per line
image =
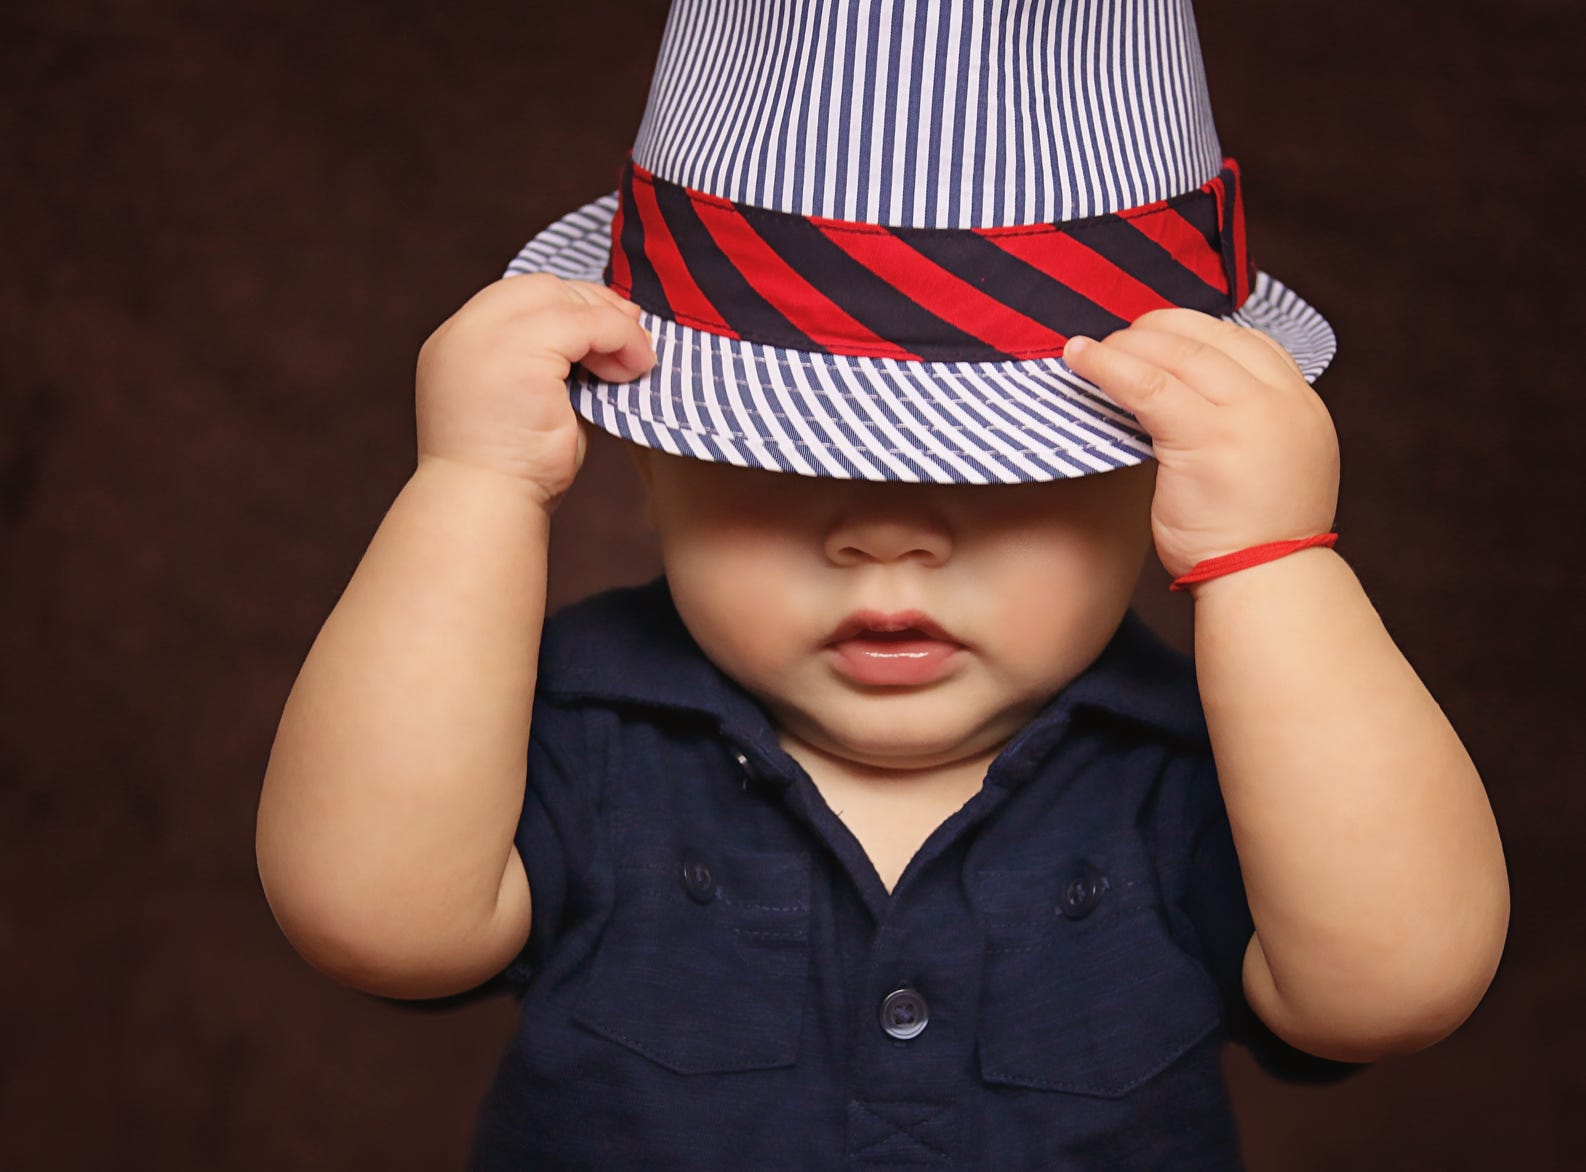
column 910, row 113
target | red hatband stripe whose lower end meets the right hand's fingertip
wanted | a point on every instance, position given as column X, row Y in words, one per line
column 941, row 293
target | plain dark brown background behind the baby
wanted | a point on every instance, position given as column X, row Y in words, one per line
column 228, row 231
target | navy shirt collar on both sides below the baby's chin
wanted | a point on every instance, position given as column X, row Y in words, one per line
column 630, row 646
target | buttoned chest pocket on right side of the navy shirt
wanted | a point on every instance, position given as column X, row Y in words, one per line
column 1086, row 989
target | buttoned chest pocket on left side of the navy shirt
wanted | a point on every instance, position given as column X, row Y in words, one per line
column 705, row 963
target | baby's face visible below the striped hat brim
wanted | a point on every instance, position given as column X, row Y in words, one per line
column 898, row 626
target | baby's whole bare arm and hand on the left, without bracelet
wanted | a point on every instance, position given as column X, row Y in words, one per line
column 396, row 781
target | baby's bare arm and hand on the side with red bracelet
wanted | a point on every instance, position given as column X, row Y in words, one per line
column 1371, row 857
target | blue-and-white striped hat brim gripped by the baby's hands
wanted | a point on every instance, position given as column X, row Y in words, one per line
column 746, row 404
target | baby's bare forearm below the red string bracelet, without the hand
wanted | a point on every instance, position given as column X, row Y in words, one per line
column 1371, row 857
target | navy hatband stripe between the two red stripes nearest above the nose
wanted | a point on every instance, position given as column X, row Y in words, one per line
column 881, row 307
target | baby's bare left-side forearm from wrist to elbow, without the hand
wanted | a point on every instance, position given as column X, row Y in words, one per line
column 397, row 775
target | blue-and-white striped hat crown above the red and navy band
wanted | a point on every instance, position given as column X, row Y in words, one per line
column 932, row 113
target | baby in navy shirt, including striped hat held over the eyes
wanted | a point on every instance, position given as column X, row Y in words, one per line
column 879, row 833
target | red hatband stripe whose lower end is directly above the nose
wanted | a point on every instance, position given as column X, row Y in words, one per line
column 786, row 291
